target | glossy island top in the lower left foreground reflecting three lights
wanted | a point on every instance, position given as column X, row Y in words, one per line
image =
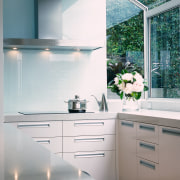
column 23, row 159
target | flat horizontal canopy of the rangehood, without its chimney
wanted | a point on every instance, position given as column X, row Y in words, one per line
column 52, row 44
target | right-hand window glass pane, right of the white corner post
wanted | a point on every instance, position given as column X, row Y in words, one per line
column 165, row 55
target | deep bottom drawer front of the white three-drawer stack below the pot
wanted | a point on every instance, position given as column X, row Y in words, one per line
column 100, row 165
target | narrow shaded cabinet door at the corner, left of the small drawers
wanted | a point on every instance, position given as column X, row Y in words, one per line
column 127, row 150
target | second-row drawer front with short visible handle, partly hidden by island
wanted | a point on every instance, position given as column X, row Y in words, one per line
column 52, row 144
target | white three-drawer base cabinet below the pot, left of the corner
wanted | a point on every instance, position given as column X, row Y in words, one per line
column 90, row 145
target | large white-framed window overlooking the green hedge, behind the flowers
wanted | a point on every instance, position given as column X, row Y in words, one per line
column 161, row 47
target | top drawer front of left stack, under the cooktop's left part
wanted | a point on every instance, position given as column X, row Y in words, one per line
column 41, row 129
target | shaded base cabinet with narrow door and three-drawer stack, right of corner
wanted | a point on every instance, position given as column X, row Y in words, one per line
column 138, row 151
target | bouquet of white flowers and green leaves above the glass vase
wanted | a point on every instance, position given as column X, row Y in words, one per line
column 131, row 85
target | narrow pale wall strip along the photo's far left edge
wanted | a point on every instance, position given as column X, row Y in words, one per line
column 1, row 62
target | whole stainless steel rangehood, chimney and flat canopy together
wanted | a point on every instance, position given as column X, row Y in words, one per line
column 48, row 20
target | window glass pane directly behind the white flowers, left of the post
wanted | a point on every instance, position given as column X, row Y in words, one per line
column 125, row 38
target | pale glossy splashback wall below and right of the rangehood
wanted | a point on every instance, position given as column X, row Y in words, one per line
column 39, row 80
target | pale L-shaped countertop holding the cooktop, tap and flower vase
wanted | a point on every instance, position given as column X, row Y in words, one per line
column 165, row 118
